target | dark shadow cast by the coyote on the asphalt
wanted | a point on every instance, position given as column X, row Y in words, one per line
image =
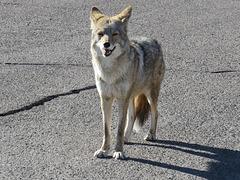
column 225, row 163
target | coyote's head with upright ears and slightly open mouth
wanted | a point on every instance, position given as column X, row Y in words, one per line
column 109, row 34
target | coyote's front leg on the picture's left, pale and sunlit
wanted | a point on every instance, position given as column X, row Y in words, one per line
column 106, row 105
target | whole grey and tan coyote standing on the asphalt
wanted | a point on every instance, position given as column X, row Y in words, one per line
column 130, row 71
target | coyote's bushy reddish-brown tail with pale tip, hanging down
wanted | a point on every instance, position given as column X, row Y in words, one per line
column 142, row 109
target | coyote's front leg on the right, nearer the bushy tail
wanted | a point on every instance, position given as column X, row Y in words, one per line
column 122, row 109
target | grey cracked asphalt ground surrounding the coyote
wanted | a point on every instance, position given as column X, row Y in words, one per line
column 50, row 117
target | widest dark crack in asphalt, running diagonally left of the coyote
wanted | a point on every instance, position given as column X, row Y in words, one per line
column 46, row 99
